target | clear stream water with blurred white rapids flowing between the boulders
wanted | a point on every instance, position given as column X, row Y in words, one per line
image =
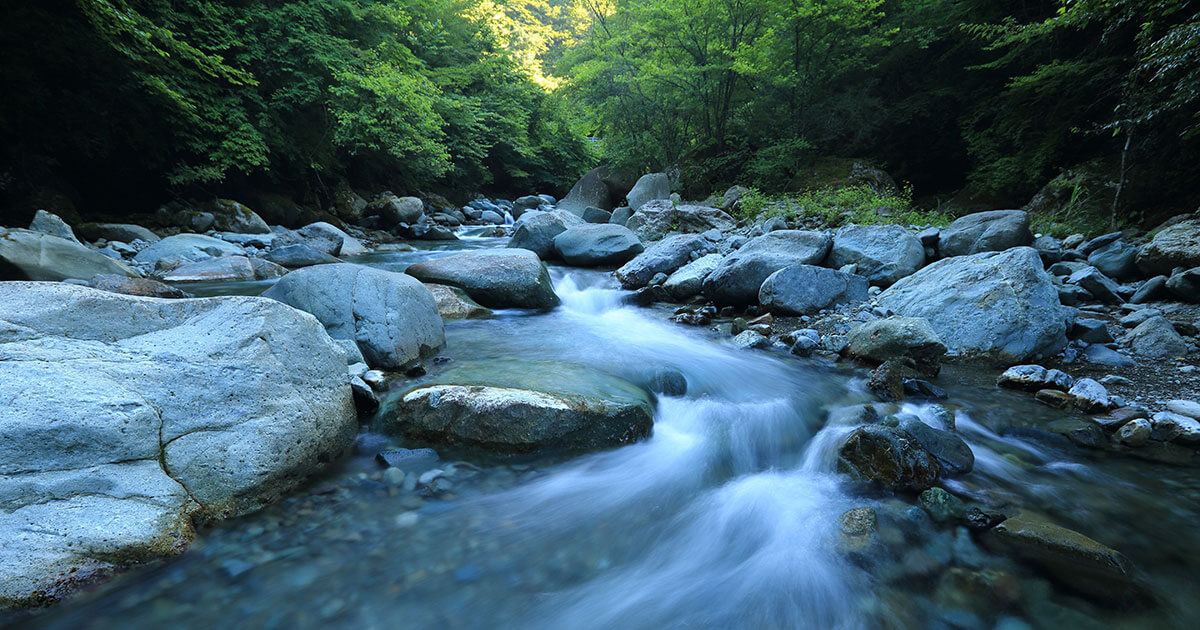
column 727, row 518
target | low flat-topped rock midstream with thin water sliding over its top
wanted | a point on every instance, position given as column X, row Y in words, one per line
column 525, row 407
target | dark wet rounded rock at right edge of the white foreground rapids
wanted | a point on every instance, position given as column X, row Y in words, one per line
column 887, row 457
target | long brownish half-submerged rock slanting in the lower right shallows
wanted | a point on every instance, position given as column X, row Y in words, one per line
column 1072, row 559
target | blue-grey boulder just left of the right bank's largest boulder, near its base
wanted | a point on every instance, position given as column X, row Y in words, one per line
column 806, row 290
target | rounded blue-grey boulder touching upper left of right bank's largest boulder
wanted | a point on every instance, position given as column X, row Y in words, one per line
column 883, row 254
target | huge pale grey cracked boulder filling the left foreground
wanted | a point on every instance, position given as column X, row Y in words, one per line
column 125, row 419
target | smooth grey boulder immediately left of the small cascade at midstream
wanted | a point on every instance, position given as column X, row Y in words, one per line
column 496, row 279
